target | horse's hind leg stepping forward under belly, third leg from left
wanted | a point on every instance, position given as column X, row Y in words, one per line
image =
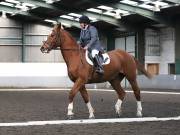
column 121, row 93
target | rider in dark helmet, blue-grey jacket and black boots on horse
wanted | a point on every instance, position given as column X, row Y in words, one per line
column 89, row 40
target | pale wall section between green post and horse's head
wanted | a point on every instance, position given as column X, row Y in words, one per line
column 34, row 34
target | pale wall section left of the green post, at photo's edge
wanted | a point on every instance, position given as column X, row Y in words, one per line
column 10, row 40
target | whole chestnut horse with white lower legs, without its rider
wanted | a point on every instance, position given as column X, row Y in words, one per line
column 80, row 72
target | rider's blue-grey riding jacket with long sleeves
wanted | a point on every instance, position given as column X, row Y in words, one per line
column 89, row 37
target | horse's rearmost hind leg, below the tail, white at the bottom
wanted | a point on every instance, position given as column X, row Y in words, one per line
column 137, row 95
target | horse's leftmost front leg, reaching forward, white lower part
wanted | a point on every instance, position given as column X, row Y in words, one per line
column 77, row 85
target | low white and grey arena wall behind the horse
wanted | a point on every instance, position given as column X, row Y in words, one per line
column 42, row 75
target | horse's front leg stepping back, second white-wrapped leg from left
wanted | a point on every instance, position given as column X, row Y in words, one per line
column 85, row 96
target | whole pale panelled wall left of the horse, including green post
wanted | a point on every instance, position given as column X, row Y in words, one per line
column 21, row 42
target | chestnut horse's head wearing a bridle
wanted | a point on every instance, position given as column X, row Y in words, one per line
column 53, row 40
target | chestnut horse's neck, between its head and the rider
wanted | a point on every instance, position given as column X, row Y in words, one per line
column 72, row 53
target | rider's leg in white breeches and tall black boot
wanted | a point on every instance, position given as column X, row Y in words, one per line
column 97, row 61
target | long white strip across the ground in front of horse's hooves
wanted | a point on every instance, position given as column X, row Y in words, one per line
column 88, row 121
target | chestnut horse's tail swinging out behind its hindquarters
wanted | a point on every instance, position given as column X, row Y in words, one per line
column 141, row 68
